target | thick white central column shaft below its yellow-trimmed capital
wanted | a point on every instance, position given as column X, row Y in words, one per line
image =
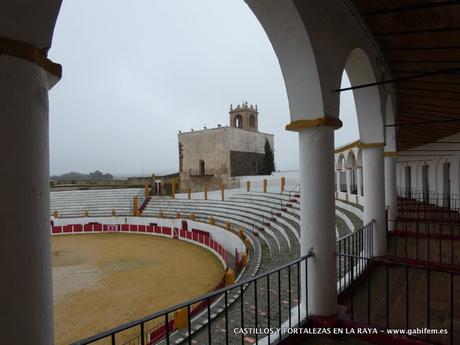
column 317, row 217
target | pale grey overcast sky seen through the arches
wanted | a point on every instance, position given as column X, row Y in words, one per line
column 137, row 72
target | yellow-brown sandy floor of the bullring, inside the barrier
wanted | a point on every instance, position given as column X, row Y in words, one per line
column 103, row 280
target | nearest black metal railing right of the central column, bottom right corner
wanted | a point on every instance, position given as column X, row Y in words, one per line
column 401, row 296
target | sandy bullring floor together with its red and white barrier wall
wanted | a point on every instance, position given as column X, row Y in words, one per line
column 123, row 268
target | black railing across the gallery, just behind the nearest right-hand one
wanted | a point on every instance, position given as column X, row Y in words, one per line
column 429, row 241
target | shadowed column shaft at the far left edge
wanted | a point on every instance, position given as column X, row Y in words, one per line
column 26, row 301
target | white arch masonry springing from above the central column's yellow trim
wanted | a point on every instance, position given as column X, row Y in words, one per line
column 302, row 40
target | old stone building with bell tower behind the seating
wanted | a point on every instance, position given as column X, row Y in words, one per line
column 217, row 155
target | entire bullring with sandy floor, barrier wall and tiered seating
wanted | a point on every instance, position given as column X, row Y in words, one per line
column 123, row 267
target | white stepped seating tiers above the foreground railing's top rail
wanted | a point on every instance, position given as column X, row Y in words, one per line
column 272, row 219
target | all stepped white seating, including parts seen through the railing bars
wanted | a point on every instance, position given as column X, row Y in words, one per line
column 271, row 221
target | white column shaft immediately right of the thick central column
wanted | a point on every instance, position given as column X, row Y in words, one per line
column 374, row 207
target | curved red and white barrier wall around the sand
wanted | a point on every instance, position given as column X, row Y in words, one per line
column 215, row 239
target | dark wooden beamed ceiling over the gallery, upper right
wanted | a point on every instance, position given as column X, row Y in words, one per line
column 420, row 38
